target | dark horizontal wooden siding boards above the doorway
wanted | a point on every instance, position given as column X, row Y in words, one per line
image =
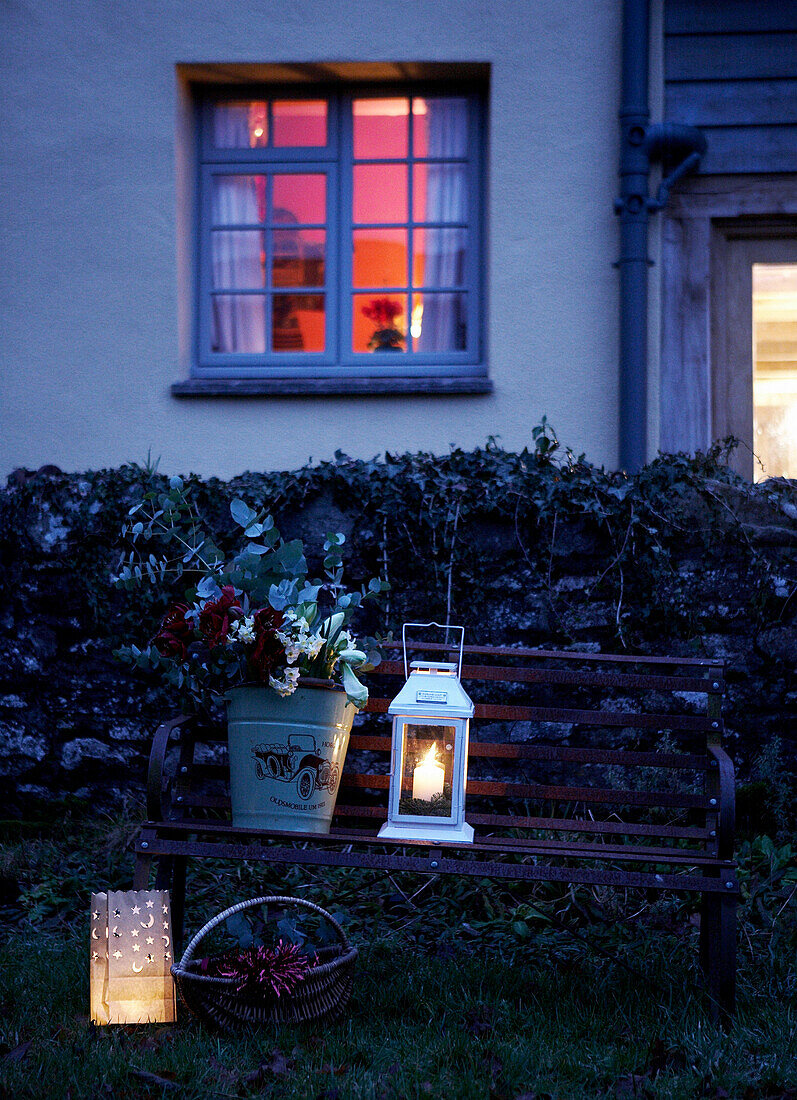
column 732, row 70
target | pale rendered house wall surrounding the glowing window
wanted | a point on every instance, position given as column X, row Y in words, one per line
column 95, row 307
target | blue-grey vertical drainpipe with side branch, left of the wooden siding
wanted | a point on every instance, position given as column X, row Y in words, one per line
column 640, row 145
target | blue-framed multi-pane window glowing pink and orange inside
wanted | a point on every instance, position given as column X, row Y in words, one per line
column 340, row 236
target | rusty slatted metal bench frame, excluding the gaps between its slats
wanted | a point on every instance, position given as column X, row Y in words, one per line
column 641, row 855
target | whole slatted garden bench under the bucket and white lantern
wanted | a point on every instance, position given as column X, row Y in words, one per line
column 583, row 768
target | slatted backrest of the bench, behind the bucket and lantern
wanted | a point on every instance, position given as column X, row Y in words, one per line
column 548, row 735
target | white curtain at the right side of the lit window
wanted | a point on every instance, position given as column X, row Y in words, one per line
column 442, row 327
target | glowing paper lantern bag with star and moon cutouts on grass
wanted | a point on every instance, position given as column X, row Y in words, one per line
column 130, row 958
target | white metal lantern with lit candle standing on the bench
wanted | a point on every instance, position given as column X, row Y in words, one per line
column 429, row 754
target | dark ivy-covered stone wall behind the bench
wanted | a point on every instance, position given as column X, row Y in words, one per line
column 516, row 551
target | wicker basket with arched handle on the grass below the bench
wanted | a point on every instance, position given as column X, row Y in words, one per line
column 323, row 994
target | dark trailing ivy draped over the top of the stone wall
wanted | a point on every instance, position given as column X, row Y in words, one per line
column 458, row 534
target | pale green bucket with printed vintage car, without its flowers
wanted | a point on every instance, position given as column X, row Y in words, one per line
column 286, row 756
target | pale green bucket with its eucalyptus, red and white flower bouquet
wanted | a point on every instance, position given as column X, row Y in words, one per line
column 254, row 632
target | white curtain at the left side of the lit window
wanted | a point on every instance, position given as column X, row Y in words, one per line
column 238, row 323
